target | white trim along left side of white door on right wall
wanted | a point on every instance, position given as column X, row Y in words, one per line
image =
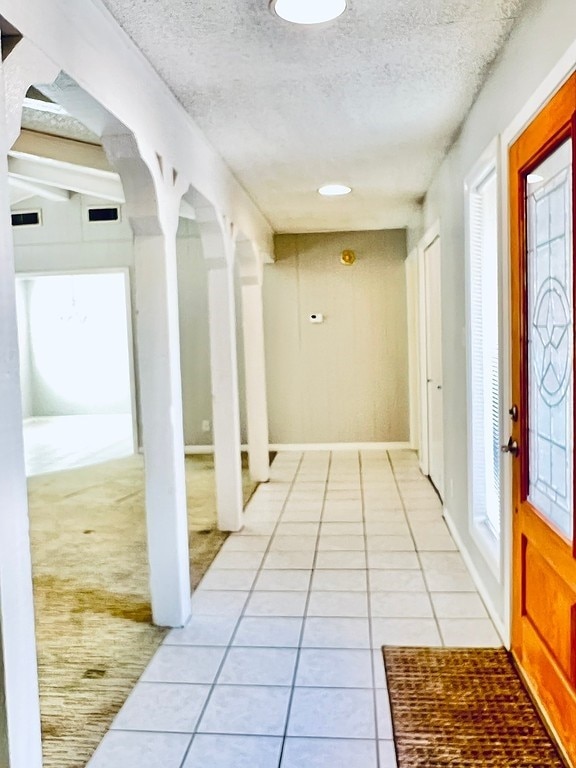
column 431, row 234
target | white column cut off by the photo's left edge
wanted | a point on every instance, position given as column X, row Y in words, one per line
column 20, row 739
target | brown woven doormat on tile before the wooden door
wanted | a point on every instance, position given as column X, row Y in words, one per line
column 462, row 707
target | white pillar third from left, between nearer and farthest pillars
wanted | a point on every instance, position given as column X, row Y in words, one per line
column 217, row 247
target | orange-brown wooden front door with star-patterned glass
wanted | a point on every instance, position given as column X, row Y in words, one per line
column 542, row 204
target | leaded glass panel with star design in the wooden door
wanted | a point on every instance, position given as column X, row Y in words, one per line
column 550, row 319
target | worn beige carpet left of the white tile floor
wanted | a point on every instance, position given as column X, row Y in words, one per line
column 91, row 590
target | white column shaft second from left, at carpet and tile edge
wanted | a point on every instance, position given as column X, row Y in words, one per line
column 162, row 431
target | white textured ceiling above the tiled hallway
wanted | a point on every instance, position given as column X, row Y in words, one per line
column 373, row 99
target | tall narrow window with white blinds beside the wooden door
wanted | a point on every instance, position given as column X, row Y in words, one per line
column 484, row 368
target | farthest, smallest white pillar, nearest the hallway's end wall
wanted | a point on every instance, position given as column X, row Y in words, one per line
column 254, row 363
